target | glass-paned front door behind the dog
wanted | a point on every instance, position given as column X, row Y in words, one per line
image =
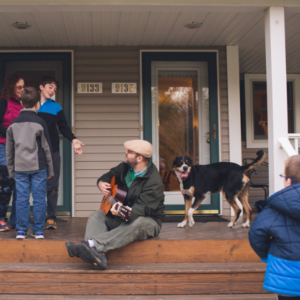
column 181, row 109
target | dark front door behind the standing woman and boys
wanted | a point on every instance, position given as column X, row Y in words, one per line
column 32, row 71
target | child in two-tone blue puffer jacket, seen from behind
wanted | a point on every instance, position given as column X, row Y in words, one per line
column 275, row 234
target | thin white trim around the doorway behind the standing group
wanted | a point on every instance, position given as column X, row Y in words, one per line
column 72, row 110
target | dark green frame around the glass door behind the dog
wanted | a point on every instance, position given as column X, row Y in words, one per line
column 211, row 59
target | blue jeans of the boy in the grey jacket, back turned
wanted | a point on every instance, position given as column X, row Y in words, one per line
column 37, row 181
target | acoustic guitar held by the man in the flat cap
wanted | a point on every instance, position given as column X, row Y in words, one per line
column 118, row 193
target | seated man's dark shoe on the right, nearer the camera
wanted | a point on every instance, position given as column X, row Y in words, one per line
column 90, row 255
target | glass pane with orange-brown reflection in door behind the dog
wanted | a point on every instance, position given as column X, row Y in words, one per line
column 178, row 121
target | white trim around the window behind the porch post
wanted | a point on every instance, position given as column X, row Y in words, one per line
column 249, row 78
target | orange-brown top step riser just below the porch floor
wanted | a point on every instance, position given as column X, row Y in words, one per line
column 149, row 251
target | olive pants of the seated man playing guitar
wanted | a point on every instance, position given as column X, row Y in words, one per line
column 112, row 232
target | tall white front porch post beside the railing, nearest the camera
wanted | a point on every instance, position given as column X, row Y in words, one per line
column 277, row 93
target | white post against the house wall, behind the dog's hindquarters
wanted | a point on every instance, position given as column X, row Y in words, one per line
column 234, row 110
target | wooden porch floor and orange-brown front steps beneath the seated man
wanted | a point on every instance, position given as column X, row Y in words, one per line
column 207, row 259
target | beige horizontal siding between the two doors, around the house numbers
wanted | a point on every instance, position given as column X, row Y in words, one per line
column 103, row 122
